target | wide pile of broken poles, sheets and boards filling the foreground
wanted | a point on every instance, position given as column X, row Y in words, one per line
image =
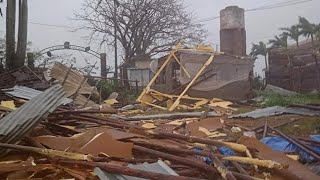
column 49, row 134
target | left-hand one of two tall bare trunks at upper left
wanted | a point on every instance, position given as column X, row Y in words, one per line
column 10, row 33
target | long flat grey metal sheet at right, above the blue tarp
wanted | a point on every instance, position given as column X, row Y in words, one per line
column 276, row 110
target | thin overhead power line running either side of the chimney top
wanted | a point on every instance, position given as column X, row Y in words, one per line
column 265, row 7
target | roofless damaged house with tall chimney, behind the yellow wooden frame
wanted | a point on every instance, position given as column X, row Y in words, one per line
column 227, row 77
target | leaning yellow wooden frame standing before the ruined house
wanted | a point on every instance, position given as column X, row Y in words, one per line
column 149, row 96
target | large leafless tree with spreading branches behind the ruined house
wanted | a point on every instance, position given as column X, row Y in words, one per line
column 143, row 27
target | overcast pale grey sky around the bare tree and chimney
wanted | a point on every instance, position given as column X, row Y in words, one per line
column 260, row 25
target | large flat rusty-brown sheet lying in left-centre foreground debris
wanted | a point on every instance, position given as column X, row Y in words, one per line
column 95, row 141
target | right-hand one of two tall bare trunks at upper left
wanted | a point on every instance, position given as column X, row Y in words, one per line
column 22, row 33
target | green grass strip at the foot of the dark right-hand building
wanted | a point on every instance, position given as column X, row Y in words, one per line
column 278, row 100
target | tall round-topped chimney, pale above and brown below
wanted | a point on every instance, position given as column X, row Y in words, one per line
column 232, row 31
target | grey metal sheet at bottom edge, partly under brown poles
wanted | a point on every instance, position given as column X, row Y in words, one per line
column 158, row 167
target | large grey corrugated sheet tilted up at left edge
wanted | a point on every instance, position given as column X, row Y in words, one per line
column 20, row 122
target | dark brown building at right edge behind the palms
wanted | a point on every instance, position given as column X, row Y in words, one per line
column 301, row 75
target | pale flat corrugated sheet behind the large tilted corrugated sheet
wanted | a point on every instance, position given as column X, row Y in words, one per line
column 28, row 93
